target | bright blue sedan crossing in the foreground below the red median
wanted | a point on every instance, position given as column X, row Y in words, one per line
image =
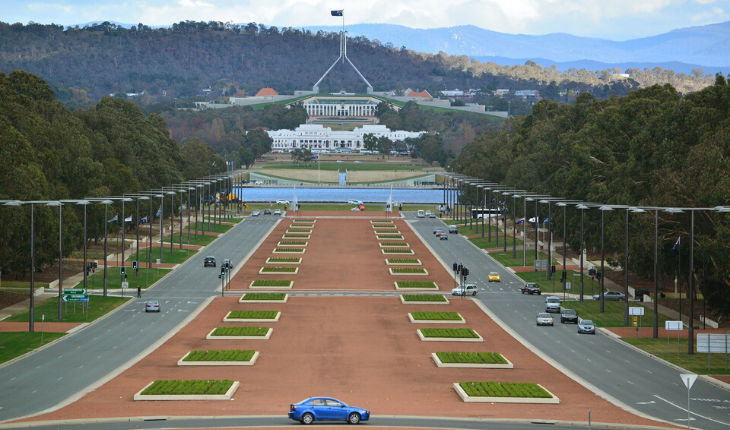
column 326, row 409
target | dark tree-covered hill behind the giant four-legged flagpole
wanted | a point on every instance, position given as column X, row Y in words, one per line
column 94, row 61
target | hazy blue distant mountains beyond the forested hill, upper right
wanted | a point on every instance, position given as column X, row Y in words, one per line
column 706, row 47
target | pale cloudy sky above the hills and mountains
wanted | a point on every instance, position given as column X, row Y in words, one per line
column 606, row 19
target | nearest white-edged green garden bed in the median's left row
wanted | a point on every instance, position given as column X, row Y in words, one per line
column 192, row 389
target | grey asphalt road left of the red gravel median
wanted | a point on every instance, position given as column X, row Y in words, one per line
column 64, row 369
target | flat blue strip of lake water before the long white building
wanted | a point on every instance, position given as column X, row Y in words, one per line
column 366, row 195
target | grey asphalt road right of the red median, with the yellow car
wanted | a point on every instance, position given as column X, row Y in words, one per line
column 634, row 379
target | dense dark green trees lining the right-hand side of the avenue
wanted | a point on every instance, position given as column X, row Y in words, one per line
column 650, row 148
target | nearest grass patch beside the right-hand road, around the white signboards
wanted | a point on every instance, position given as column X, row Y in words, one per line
column 668, row 350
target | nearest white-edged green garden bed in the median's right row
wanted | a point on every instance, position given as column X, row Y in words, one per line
column 504, row 392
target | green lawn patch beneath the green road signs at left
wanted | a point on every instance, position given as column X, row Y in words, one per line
column 98, row 307
